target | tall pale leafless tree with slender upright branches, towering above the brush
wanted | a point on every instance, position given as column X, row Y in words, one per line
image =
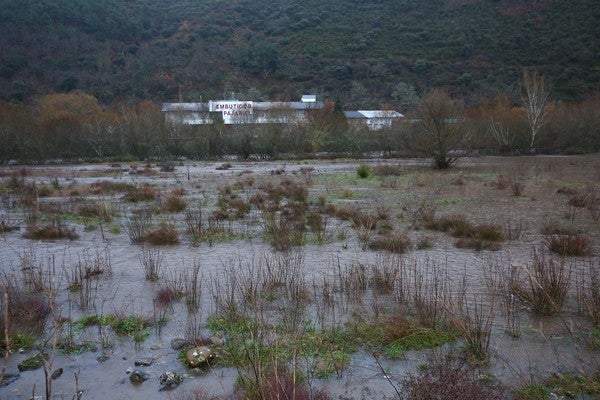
column 534, row 94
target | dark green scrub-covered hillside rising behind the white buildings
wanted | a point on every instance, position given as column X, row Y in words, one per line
column 366, row 53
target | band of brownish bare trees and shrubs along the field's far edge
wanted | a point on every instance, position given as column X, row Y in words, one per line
column 75, row 126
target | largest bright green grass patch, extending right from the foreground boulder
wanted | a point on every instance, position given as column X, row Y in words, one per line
column 330, row 351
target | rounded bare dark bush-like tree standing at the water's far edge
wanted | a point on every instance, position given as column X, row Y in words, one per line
column 441, row 132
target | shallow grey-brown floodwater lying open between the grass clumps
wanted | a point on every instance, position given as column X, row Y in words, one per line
column 545, row 345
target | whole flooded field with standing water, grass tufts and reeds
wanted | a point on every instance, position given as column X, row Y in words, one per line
column 300, row 279
